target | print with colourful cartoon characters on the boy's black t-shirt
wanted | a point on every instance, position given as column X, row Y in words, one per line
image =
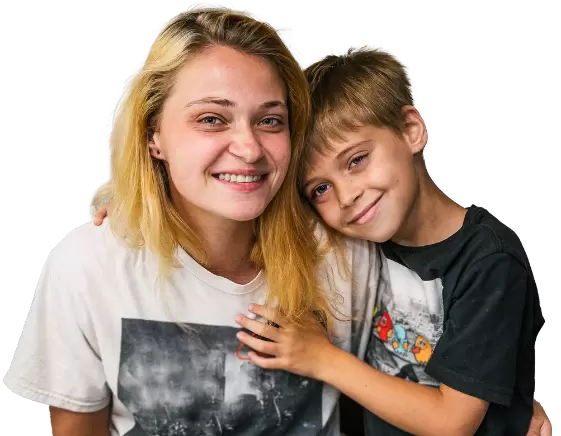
column 406, row 324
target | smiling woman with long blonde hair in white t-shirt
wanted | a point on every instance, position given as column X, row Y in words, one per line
column 132, row 326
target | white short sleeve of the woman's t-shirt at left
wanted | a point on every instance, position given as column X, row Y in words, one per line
column 54, row 363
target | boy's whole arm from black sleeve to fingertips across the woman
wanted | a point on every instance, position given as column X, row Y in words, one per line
column 475, row 360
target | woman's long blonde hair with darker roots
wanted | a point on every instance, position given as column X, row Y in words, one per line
column 141, row 209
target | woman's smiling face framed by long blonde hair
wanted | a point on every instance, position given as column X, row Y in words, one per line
column 224, row 136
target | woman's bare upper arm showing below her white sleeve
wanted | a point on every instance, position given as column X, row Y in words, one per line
column 67, row 423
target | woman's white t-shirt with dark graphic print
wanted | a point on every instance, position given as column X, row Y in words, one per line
column 101, row 328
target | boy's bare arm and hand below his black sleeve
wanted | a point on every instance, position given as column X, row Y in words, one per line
column 412, row 407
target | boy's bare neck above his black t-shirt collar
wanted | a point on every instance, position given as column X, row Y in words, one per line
column 433, row 218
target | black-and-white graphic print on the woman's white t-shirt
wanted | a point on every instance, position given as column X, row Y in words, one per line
column 197, row 383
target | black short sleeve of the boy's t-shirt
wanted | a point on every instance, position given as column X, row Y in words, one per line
column 477, row 352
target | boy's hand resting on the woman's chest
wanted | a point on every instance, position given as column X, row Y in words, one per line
column 300, row 350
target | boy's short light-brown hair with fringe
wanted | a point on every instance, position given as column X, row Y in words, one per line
column 362, row 84
